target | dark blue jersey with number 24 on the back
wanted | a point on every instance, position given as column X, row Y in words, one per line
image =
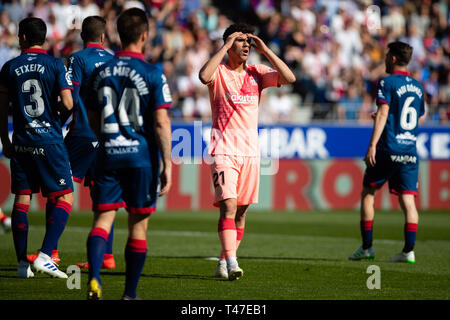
column 125, row 93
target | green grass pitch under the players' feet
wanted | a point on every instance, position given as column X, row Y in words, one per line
column 285, row 255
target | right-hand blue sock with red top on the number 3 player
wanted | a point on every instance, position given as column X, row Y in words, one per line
column 55, row 226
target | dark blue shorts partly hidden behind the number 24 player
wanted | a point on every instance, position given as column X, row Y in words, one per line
column 82, row 154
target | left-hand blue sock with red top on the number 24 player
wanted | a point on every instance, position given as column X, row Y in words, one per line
column 96, row 246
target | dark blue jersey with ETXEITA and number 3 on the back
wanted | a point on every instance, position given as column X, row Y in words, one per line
column 33, row 82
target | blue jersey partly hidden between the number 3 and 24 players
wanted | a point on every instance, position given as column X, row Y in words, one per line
column 81, row 67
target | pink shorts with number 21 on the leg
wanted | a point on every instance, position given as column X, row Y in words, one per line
column 235, row 177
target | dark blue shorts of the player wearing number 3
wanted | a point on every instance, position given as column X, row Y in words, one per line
column 41, row 168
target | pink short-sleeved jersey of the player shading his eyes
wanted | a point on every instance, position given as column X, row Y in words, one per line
column 234, row 98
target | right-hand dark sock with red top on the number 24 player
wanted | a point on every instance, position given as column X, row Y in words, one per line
column 135, row 254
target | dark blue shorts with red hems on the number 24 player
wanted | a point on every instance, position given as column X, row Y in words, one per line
column 132, row 188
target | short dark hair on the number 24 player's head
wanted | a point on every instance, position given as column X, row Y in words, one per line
column 131, row 24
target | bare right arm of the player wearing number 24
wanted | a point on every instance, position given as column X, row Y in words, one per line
column 164, row 138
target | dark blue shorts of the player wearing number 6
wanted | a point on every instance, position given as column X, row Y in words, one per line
column 401, row 172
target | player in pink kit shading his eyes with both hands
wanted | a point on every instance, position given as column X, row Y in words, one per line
column 235, row 89
